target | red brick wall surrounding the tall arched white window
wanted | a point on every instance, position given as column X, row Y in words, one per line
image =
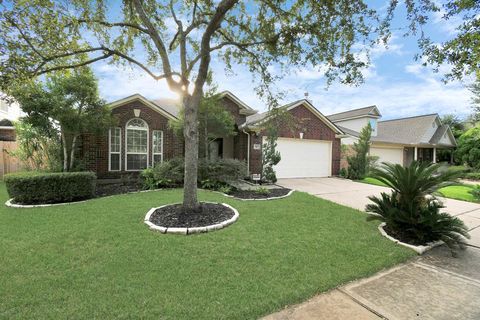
column 95, row 149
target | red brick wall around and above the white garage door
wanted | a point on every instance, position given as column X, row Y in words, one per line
column 301, row 120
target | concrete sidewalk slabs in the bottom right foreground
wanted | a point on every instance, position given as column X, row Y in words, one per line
column 434, row 286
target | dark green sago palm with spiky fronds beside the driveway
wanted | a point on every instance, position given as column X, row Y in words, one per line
column 411, row 210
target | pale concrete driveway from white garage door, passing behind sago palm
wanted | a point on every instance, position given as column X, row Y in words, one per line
column 355, row 195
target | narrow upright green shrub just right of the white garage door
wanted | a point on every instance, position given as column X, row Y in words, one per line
column 358, row 164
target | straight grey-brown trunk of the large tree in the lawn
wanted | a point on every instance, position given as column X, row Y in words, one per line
column 190, row 133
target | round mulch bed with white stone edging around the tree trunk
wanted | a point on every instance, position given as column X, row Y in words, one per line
column 171, row 218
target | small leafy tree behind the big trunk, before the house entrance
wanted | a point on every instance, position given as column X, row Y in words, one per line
column 214, row 122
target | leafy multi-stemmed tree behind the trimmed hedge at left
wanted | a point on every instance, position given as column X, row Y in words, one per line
column 67, row 103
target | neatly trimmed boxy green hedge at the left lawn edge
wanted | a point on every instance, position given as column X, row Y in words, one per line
column 41, row 187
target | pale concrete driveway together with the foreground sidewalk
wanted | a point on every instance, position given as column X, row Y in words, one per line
column 433, row 286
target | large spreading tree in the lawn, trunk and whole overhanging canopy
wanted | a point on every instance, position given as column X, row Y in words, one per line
column 176, row 41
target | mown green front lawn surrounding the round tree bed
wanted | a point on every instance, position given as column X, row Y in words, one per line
column 98, row 260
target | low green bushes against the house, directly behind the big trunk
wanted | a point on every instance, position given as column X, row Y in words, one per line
column 212, row 174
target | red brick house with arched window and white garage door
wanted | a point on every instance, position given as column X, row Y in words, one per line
column 309, row 148
